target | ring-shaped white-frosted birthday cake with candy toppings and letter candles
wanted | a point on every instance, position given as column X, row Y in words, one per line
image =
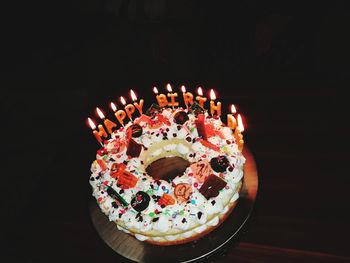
column 171, row 175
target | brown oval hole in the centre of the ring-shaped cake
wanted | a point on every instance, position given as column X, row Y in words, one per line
column 167, row 168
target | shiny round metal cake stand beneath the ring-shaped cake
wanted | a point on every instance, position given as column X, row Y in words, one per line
column 133, row 249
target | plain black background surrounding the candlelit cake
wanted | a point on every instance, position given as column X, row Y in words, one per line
column 285, row 66
